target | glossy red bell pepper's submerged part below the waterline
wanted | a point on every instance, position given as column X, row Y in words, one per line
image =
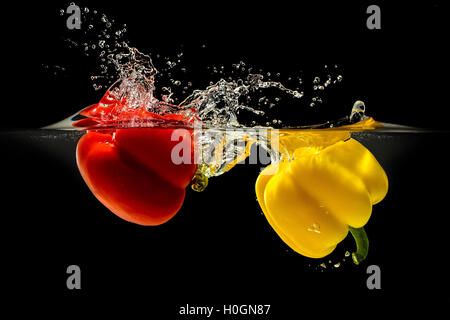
column 131, row 172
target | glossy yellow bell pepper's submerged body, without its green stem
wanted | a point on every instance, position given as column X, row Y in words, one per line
column 312, row 199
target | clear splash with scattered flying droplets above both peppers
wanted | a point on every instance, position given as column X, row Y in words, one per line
column 131, row 102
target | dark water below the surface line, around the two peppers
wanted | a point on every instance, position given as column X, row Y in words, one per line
column 219, row 248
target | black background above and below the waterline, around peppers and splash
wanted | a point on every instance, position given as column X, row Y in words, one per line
column 219, row 249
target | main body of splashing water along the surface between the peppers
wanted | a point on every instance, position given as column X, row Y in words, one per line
column 130, row 102
